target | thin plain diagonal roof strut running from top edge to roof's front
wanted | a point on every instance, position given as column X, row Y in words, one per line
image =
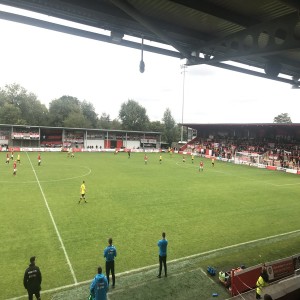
column 131, row 11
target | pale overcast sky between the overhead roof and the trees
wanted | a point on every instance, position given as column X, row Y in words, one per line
column 52, row 64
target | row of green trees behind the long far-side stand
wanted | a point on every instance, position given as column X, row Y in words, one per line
column 20, row 107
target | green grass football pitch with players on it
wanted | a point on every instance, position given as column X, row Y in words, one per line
column 133, row 203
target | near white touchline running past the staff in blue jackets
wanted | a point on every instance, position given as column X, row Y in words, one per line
column 172, row 261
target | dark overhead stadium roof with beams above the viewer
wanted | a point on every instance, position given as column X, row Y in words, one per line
column 260, row 38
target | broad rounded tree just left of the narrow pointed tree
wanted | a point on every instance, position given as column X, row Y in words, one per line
column 133, row 116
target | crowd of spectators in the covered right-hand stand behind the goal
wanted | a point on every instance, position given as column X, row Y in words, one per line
column 274, row 152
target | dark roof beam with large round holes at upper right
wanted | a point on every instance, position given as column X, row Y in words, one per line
column 263, row 40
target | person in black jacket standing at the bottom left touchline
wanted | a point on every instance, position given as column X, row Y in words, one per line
column 32, row 280
